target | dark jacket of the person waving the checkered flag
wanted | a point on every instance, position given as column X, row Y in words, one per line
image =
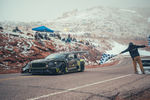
column 133, row 50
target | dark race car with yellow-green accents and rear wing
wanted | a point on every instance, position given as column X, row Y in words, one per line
column 59, row 63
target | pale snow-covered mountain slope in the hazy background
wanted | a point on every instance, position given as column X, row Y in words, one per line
column 101, row 20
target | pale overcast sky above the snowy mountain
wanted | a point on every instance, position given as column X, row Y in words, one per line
column 37, row 10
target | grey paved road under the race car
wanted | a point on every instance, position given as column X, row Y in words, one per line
column 94, row 84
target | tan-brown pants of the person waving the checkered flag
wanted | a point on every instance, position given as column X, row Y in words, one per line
column 138, row 60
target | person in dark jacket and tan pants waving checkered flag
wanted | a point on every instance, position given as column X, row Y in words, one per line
column 133, row 50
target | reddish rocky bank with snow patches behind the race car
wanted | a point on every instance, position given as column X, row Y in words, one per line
column 16, row 51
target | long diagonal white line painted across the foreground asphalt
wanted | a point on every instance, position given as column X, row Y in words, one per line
column 83, row 86
